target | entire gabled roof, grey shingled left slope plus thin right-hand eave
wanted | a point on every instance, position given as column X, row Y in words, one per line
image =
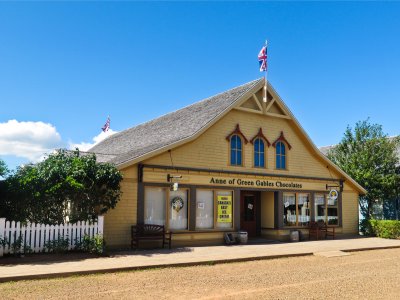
column 177, row 128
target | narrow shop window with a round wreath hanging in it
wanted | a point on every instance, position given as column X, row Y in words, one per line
column 178, row 209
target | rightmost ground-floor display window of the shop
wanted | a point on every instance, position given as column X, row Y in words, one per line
column 326, row 209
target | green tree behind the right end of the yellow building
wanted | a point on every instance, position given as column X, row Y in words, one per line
column 369, row 157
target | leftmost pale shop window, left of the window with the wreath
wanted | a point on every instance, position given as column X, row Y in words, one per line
column 154, row 205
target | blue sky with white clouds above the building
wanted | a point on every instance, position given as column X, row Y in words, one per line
column 65, row 66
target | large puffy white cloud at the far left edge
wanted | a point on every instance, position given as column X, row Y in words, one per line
column 30, row 140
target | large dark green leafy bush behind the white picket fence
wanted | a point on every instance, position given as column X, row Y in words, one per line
column 65, row 186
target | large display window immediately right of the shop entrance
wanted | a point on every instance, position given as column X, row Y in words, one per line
column 296, row 209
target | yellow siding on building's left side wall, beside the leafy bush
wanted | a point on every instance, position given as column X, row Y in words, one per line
column 118, row 221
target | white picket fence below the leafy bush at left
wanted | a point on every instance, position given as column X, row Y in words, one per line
column 35, row 236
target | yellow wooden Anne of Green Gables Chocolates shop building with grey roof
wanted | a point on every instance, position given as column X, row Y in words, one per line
column 240, row 164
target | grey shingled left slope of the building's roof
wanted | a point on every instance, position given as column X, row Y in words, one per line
column 165, row 131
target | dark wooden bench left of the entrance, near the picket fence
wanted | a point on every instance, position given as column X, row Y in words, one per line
column 149, row 232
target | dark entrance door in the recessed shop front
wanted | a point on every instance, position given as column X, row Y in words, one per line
column 248, row 212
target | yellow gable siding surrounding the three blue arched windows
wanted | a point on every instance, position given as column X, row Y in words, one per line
column 211, row 150
